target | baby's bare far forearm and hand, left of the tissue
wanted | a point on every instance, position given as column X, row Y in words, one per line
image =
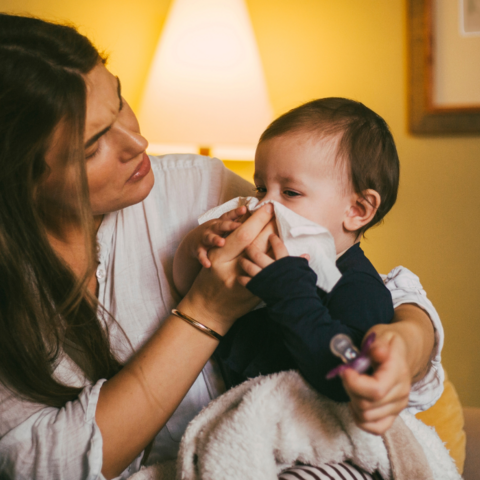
column 192, row 253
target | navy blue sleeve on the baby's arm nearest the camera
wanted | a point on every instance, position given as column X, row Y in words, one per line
column 308, row 322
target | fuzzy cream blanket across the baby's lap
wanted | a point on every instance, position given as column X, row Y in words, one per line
column 267, row 424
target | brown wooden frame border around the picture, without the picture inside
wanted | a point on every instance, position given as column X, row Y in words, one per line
column 425, row 116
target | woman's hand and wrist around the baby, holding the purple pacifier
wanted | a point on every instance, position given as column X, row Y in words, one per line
column 400, row 354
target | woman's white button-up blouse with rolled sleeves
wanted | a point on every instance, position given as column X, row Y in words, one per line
column 136, row 249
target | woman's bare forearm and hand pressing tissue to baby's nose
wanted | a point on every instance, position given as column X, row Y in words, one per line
column 147, row 390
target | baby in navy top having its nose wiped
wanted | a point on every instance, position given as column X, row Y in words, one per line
column 333, row 161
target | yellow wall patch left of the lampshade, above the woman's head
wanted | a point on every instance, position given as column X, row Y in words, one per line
column 126, row 30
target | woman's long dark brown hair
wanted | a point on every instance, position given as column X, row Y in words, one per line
column 44, row 308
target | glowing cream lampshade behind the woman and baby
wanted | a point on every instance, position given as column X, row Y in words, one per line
column 206, row 86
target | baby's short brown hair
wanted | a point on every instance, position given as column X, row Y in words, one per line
column 366, row 144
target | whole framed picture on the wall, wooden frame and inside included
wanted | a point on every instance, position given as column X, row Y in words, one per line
column 444, row 67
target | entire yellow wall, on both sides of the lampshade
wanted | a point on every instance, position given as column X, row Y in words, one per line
column 356, row 49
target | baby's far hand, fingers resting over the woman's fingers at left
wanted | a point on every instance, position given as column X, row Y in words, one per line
column 212, row 233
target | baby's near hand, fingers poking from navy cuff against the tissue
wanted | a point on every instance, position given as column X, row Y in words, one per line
column 257, row 260
